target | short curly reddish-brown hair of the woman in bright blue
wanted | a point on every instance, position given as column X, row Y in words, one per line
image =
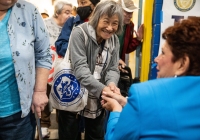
column 184, row 40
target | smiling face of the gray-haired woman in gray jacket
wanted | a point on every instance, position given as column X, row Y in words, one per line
column 106, row 27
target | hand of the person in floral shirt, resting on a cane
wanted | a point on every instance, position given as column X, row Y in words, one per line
column 39, row 101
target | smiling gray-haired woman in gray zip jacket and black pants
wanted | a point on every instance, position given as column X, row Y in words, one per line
column 95, row 64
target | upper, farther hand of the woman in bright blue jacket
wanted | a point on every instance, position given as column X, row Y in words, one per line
column 119, row 98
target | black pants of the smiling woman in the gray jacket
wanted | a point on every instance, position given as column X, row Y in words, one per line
column 68, row 126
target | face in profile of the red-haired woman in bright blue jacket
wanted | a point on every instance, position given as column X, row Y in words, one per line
column 165, row 66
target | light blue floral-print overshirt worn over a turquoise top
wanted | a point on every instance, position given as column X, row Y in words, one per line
column 30, row 47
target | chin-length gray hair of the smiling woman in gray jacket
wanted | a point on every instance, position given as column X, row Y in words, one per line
column 109, row 8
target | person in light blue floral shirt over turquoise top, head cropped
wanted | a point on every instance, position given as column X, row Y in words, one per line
column 25, row 60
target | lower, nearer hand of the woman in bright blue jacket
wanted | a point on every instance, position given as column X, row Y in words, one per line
column 110, row 104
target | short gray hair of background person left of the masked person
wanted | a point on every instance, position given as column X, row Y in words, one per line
column 58, row 7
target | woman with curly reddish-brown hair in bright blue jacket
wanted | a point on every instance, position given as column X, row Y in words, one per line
column 165, row 108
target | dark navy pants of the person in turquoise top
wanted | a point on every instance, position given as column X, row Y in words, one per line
column 16, row 128
